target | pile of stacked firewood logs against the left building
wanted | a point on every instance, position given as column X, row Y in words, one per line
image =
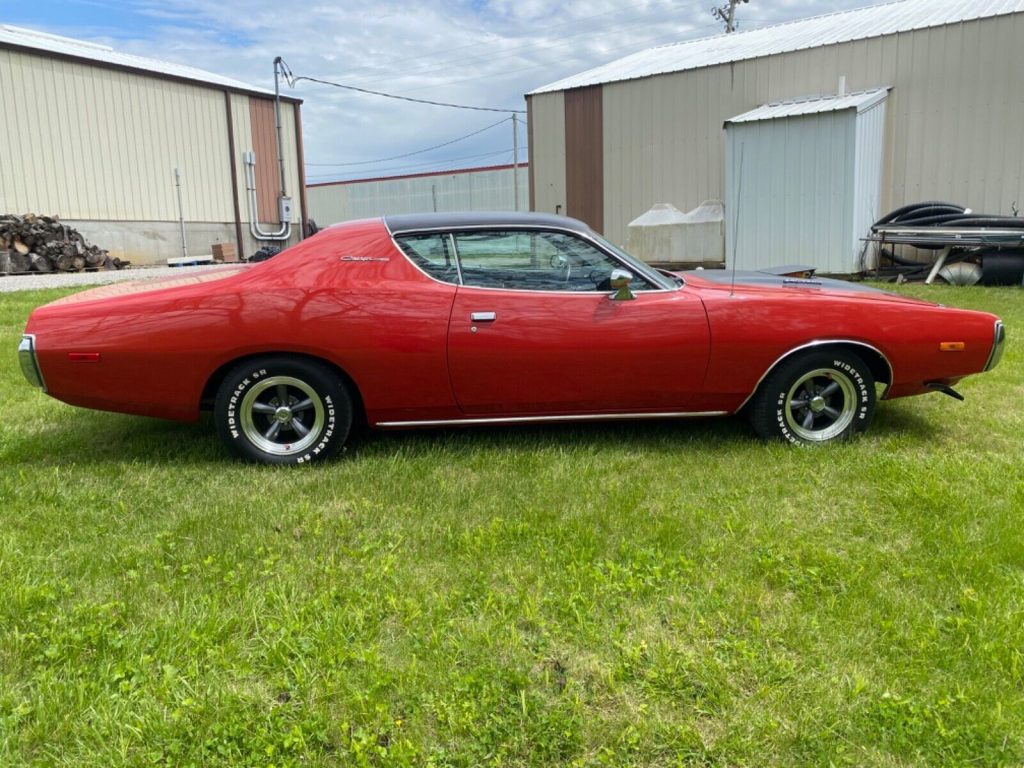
column 44, row 244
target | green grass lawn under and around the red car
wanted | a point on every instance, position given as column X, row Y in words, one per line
column 631, row 594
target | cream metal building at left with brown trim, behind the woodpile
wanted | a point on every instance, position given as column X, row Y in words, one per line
column 96, row 137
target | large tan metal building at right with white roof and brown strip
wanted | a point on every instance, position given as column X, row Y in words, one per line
column 608, row 145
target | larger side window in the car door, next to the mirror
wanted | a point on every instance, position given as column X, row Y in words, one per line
column 534, row 262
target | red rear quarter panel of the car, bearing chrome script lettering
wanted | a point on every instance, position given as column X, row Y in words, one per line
column 346, row 296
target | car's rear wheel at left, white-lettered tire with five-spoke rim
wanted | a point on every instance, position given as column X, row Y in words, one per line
column 279, row 410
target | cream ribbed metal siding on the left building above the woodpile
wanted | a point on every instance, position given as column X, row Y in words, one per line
column 87, row 143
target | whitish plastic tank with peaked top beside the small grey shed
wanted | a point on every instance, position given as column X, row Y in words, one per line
column 667, row 236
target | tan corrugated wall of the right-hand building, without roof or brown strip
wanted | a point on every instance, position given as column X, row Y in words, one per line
column 952, row 121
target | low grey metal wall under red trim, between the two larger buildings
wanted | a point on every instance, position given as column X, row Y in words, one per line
column 491, row 190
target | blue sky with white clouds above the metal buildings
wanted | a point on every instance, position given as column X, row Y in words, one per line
column 476, row 53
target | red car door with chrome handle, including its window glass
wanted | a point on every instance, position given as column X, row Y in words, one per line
column 534, row 331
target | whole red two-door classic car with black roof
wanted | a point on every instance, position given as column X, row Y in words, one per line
column 448, row 320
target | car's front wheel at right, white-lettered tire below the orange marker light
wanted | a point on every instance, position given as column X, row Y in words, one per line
column 815, row 399
